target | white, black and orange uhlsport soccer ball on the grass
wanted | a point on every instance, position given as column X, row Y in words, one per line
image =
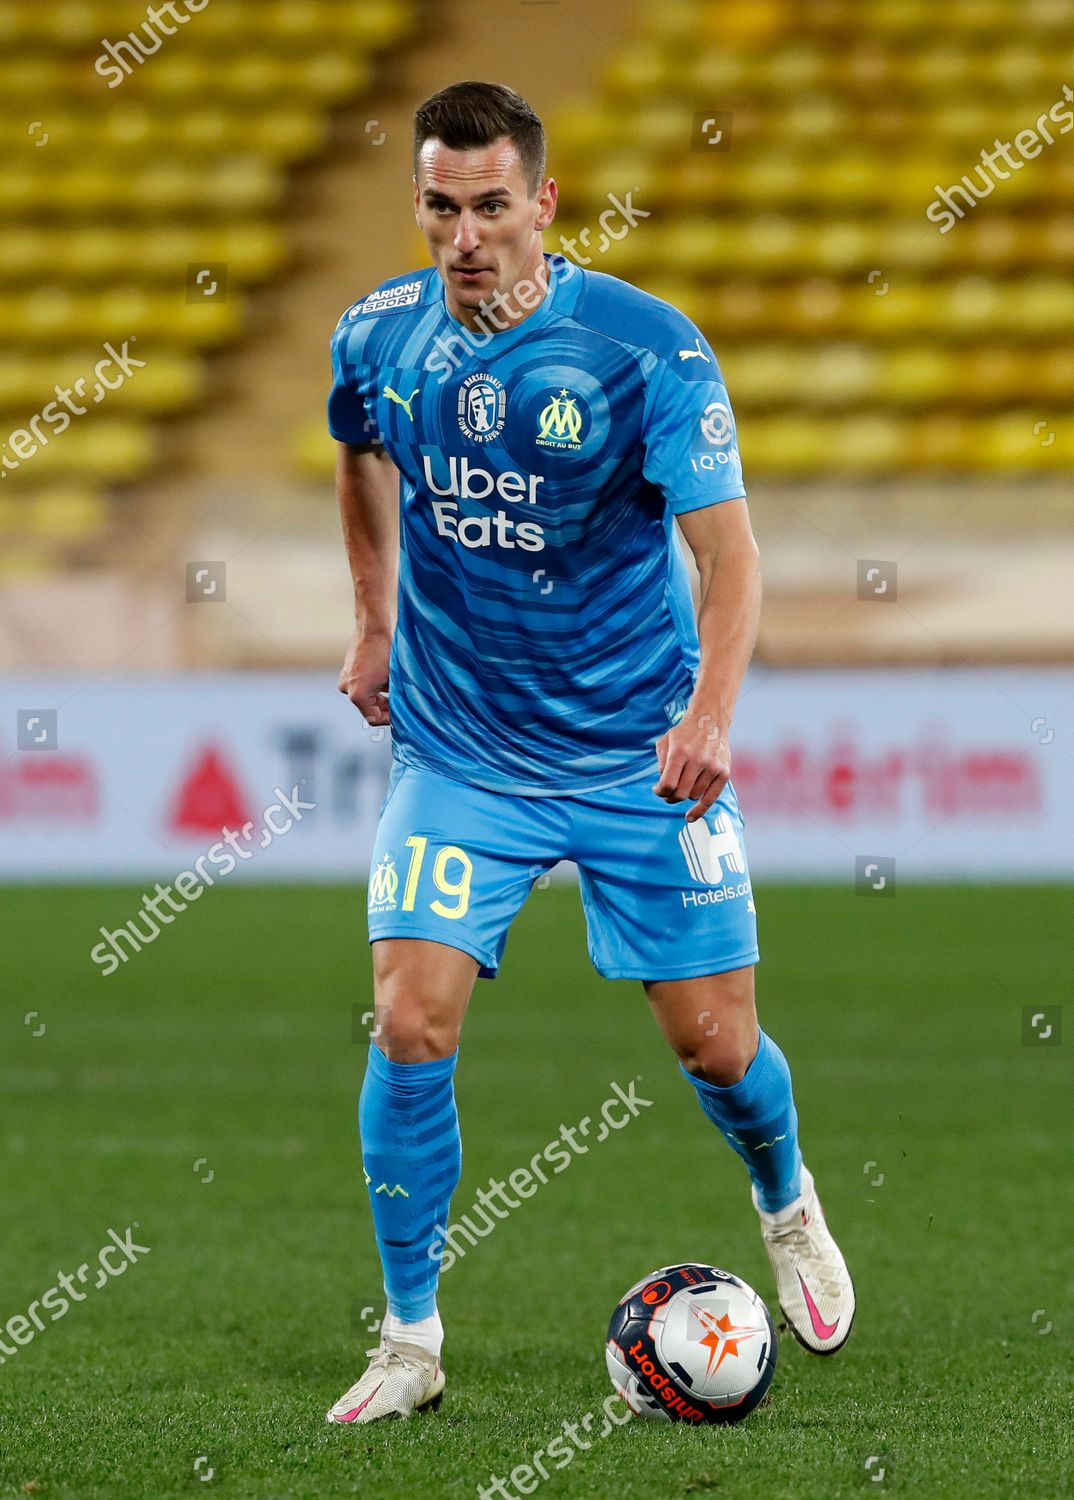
column 692, row 1345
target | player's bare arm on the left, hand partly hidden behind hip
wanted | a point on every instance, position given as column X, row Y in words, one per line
column 368, row 490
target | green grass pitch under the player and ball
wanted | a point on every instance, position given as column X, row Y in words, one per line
column 941, row 1142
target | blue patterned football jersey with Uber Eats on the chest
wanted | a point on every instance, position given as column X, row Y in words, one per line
column 547, row 632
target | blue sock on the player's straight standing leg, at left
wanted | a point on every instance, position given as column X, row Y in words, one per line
column 412, row 1151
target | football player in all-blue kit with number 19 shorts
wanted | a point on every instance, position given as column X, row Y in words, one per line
column 517, row 440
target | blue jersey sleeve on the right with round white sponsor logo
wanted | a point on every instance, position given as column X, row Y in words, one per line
column 689, row 436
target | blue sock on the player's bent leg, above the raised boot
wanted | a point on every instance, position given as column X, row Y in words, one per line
column 760, row 1120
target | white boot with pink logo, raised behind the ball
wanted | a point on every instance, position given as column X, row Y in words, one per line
column 812, row 1280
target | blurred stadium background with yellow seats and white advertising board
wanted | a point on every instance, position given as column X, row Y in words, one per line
column 212, row 200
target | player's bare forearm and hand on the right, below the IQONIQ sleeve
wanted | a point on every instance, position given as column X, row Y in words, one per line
column 695, row 757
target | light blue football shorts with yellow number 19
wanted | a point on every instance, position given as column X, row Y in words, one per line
column 664, row 899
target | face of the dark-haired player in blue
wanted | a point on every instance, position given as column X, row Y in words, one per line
column 482, row 226
